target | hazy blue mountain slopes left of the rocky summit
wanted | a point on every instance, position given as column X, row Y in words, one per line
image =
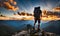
column 7, row 28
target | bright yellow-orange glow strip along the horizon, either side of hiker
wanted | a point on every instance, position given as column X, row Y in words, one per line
column 17, row 17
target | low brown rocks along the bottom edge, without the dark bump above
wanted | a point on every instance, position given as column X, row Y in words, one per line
column 41, row 33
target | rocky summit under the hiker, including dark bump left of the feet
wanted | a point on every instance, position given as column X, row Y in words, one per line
column 30, row 32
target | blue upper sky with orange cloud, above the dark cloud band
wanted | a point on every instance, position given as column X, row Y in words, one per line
column 27, row 6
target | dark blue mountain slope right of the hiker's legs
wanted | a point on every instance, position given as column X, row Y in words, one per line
column 53, row 27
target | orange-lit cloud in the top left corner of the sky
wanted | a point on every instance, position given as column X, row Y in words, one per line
column 9, row 4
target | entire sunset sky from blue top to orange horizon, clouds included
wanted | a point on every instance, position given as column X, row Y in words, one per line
column 20, row 10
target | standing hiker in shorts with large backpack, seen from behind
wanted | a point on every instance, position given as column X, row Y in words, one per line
column 37, row 15
